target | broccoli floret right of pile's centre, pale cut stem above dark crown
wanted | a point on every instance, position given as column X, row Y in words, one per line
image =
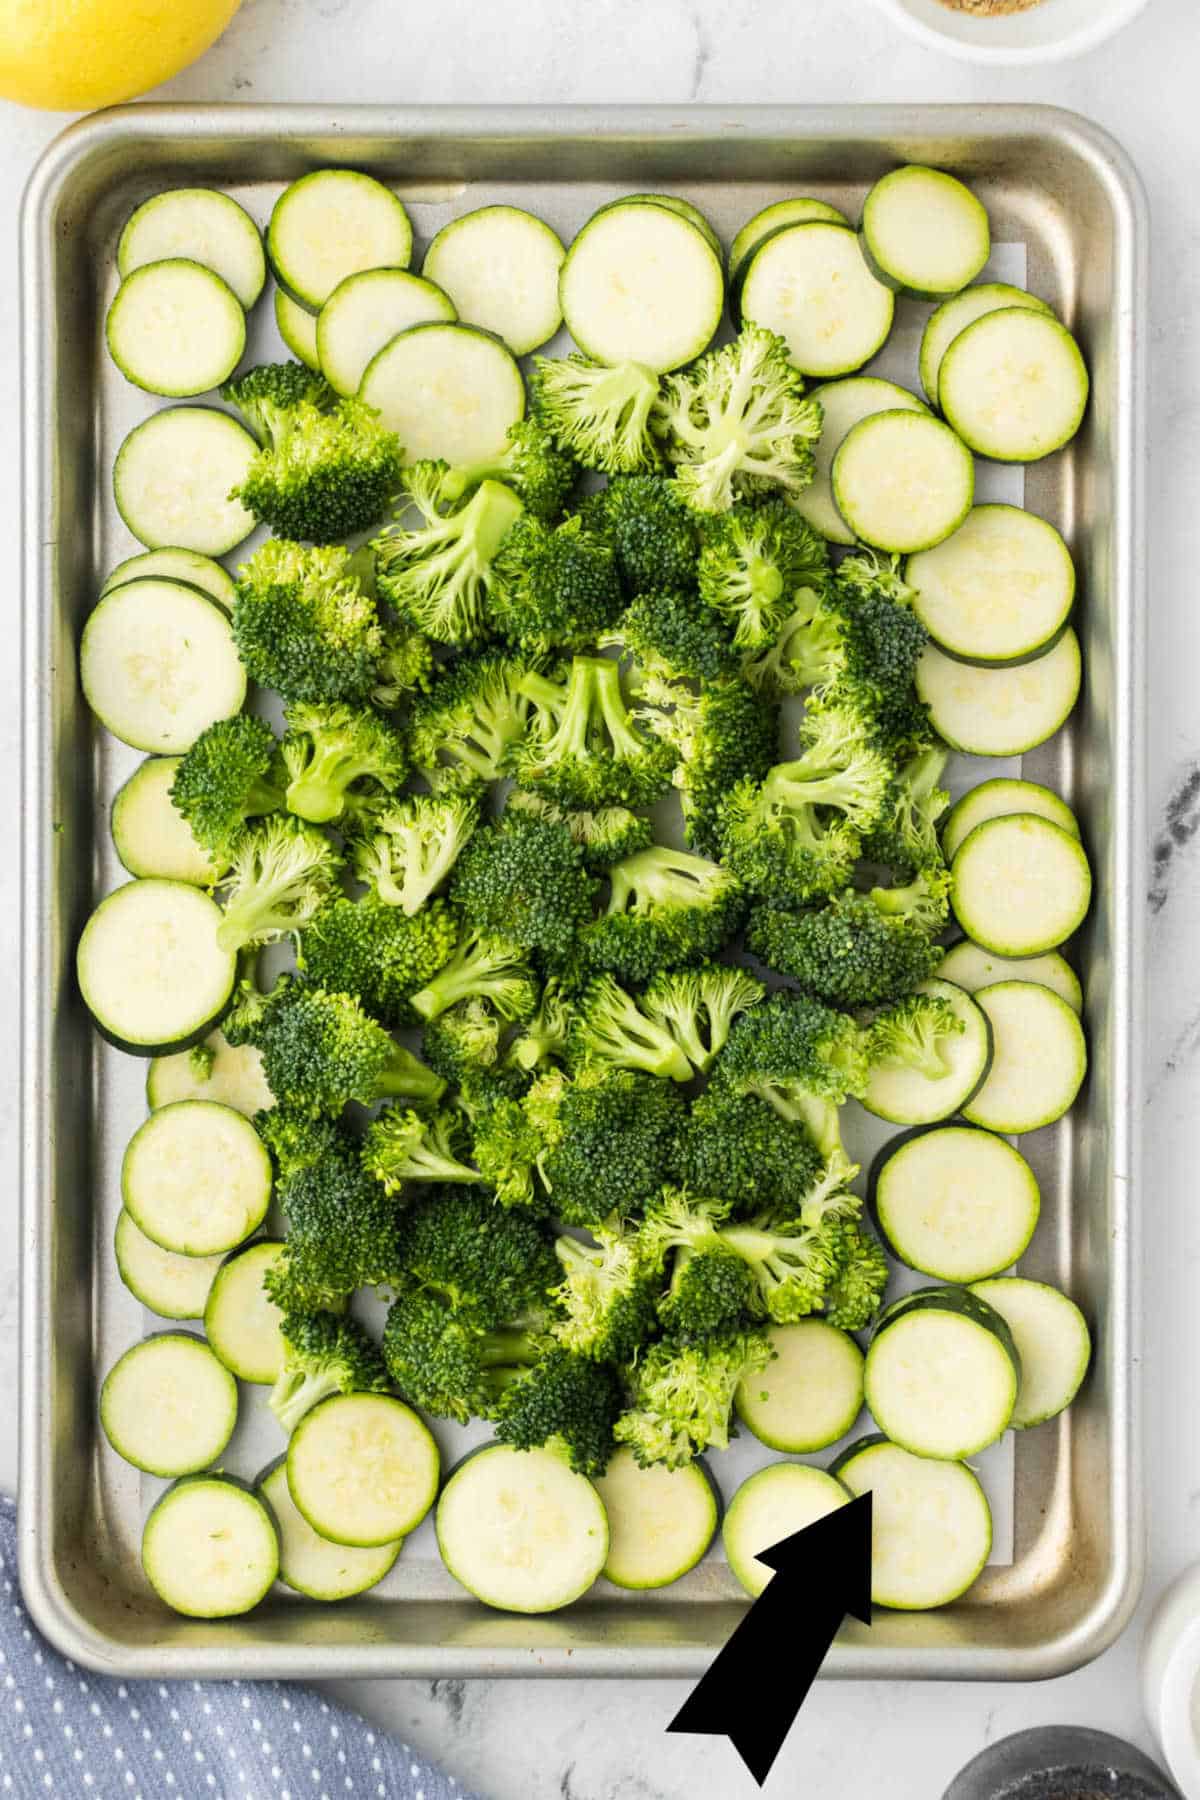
column 667, row 908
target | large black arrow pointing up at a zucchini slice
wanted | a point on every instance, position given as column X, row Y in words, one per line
column 758, row 1682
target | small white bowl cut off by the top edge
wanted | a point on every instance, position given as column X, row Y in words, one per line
column 1044, row 35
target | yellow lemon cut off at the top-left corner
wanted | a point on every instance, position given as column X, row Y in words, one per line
column 75, row 55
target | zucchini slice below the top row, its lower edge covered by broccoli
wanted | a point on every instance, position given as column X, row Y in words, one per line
column 447, row 391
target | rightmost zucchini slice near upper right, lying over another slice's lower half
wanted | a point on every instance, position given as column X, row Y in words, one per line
column 1014, row 386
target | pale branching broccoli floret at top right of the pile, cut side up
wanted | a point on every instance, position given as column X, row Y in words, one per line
column 737, row 424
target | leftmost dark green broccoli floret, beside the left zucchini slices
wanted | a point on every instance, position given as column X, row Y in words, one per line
column 228, row 777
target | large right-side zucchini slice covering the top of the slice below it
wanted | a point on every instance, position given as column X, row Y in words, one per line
column 999, row 589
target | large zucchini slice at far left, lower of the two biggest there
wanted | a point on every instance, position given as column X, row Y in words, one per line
column 150, row 969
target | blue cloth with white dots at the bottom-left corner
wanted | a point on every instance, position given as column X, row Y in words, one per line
column 80, row 1736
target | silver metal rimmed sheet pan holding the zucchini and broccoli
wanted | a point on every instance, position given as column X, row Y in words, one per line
column 1057, row 188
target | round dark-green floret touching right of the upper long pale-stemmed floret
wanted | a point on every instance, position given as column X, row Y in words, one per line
column 555, row 588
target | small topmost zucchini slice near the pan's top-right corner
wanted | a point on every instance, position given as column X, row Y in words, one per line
column 926, row 233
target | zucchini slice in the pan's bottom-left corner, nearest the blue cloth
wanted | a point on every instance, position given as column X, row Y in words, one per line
column 211, row 1549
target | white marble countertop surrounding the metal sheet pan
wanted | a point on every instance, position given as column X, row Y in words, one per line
column 897, row 1741
